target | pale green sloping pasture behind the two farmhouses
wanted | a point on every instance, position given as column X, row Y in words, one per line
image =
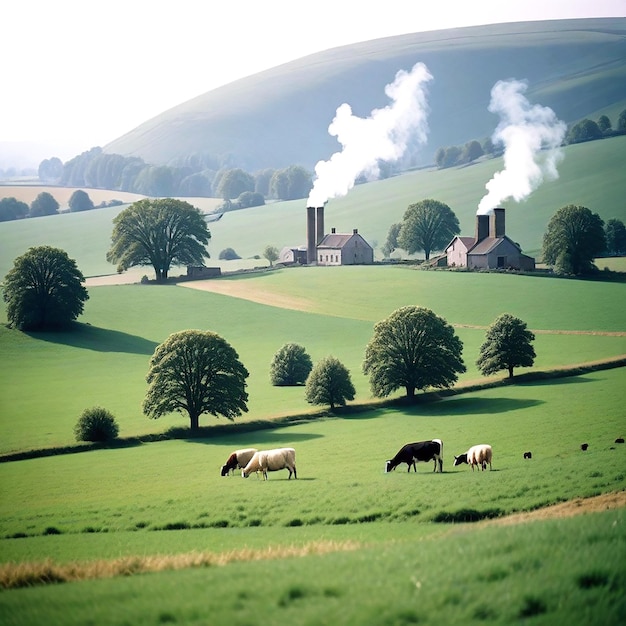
column 590, row 174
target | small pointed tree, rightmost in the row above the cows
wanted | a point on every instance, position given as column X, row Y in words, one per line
column 507, row 345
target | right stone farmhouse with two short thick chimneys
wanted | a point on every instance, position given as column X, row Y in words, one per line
column 490, row 248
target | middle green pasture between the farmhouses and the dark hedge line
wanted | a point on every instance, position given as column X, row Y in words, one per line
column 47, row 380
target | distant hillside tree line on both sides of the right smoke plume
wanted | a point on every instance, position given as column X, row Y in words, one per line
column 584, row 130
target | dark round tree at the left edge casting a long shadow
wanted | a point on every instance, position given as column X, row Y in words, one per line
column 44, row 290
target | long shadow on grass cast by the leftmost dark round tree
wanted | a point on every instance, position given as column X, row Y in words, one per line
column 89, row 337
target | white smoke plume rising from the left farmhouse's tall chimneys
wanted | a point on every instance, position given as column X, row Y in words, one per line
column 384, row 135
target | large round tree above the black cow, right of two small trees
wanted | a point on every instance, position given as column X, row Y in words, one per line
column 412, row 349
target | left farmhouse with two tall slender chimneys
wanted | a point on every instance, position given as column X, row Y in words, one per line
column 328, row 249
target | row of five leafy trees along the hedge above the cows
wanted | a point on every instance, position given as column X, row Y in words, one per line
column 196, row 372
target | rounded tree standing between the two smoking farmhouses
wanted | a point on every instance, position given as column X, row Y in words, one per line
column 427, row 225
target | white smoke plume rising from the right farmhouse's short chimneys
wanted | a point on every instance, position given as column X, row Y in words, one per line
column 524, row 131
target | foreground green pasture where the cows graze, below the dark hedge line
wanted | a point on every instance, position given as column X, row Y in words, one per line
column 404, row 568
